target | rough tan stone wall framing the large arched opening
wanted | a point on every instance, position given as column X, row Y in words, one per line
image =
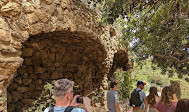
column 21, row 19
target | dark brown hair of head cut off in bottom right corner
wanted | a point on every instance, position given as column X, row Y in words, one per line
column 182, row 105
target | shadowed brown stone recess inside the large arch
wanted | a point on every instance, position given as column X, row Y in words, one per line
column 51, row 56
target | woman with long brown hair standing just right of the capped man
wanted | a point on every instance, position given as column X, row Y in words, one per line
column 151, row 100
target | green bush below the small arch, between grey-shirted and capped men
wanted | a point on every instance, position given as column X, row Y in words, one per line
column 125, row 84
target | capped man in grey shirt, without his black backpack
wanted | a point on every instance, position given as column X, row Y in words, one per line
column 140, row 87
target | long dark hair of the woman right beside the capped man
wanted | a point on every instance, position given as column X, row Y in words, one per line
column 151, row 97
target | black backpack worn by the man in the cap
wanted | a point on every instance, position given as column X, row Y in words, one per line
column 135, row 99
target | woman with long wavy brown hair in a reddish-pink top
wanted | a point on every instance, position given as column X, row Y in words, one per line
column 168, row 100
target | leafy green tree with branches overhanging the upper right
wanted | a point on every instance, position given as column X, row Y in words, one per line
column 156, row 28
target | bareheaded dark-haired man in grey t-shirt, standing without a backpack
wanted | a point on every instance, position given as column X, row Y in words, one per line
column 113, row 98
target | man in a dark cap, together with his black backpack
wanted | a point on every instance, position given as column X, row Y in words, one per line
column 137, row 97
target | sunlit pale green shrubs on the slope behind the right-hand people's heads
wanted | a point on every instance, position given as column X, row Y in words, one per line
column 152, row 74
